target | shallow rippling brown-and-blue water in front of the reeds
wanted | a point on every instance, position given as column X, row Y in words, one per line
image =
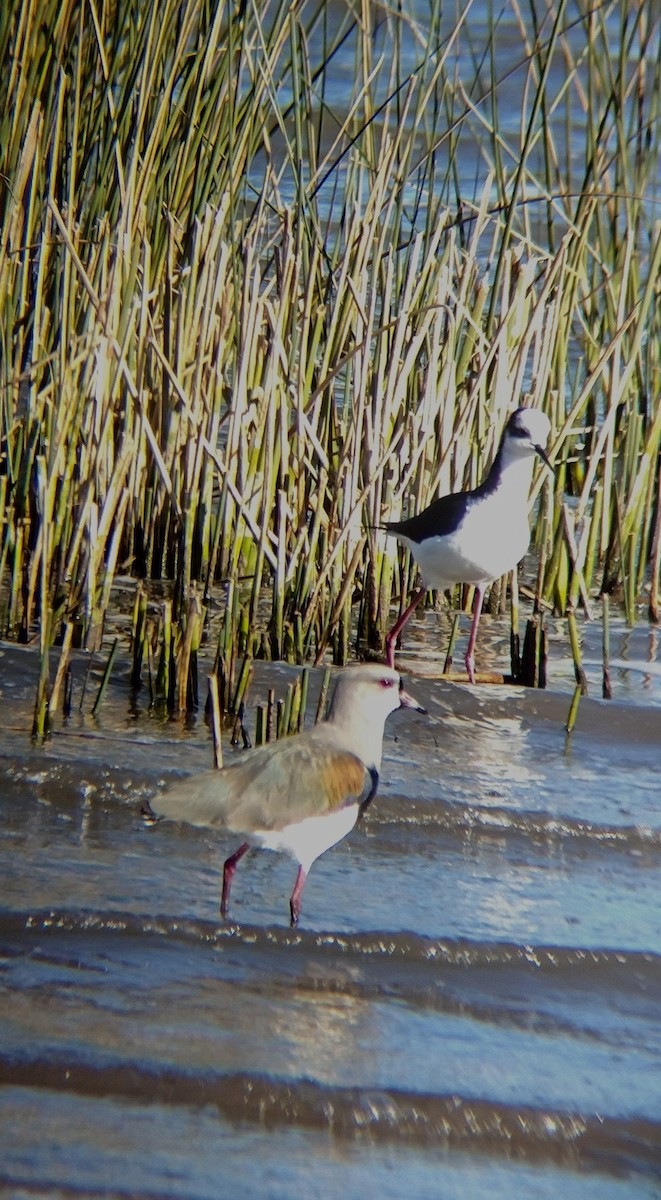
column 472, row 1006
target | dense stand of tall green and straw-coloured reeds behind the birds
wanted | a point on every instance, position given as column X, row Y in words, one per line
column 273, row 272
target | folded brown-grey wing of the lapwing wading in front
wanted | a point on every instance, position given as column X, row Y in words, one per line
column 271, row 788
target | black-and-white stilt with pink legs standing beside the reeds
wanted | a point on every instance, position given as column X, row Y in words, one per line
column 477, row 537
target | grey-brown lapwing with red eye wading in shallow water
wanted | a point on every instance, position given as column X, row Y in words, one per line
column 301, row 795
